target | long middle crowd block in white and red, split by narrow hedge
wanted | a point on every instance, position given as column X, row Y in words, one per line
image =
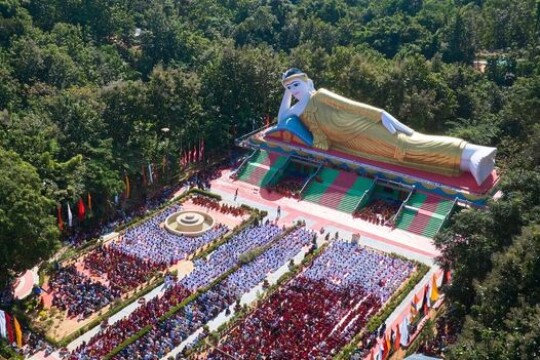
column 220, row 297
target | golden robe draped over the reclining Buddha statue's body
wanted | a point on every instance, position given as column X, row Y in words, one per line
column 355, row 128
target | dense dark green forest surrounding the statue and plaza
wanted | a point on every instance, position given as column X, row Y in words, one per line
column 86, row 87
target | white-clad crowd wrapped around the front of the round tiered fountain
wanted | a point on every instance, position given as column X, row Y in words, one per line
column 150, row 241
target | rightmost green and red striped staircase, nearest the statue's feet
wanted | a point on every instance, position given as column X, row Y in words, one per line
column 424, row 214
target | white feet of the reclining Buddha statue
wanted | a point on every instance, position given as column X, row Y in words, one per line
column 479, row 161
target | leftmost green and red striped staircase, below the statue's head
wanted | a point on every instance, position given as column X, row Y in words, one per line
column 261, row 168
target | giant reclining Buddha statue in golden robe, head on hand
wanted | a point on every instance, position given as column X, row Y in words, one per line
column 354, row 128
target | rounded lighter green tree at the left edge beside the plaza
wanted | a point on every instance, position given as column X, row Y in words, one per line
column 28, row 233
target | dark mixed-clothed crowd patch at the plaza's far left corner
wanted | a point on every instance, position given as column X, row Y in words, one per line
column 78, row 294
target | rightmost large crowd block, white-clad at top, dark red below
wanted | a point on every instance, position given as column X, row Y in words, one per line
column 320, row 310
